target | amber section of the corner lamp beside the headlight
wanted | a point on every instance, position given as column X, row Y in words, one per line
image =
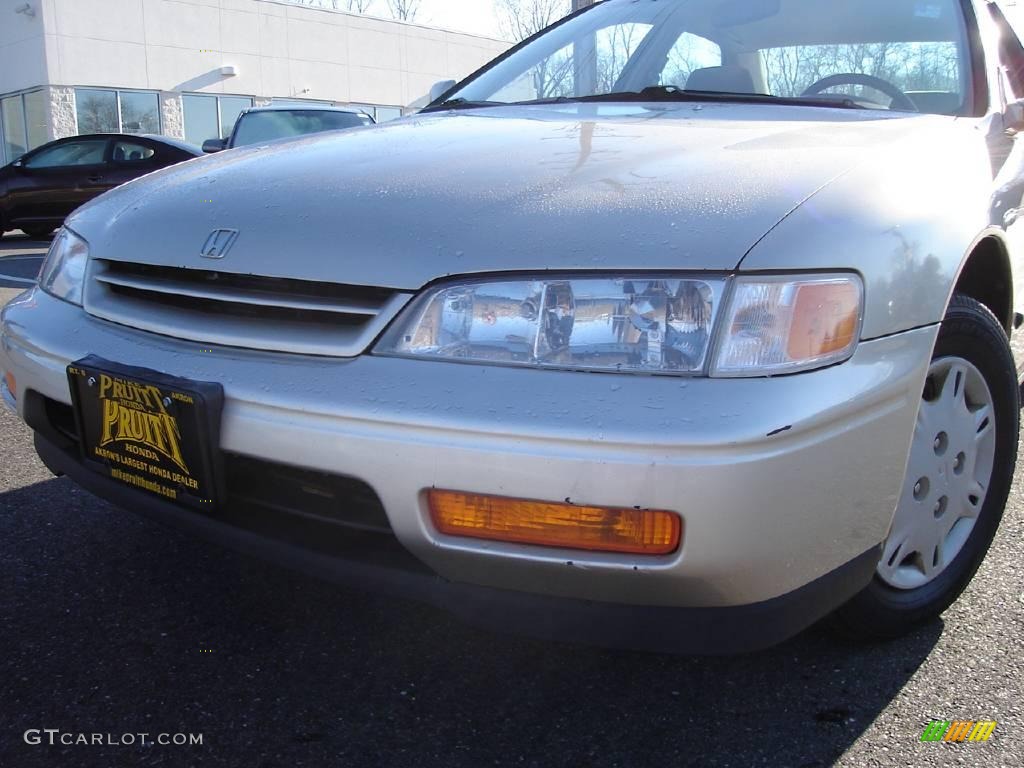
column 825, row 320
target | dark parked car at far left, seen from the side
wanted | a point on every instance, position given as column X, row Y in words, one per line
column 41, row 189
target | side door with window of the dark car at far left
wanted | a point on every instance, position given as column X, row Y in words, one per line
column 51, row 183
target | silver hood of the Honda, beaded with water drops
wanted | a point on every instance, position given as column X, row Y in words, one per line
column 556, row 188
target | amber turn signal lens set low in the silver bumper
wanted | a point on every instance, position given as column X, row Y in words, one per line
column 565, row 526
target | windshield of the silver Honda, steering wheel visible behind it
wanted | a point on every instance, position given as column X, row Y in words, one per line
column 902, row 55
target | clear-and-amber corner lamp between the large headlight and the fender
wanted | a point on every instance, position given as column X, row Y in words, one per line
column 785, row 325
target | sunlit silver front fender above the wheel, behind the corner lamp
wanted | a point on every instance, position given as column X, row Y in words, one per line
column 907, row 219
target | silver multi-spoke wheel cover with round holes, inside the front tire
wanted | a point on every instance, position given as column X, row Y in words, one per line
column 948, row 480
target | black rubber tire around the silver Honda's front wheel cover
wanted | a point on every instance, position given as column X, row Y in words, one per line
column 881, row 612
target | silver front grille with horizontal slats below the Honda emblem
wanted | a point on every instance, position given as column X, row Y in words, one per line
column 242, row 311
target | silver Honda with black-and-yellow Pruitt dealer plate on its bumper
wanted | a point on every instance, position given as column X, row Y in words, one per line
column 681, row 326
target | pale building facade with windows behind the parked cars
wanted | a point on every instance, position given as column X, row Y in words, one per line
column 188, row 68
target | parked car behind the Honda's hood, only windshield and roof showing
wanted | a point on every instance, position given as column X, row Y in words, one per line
column 264, row 124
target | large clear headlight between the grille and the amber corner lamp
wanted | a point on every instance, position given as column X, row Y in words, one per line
column 643, row 324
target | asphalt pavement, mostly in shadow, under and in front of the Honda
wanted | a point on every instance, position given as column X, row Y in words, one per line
column 111, row 624
